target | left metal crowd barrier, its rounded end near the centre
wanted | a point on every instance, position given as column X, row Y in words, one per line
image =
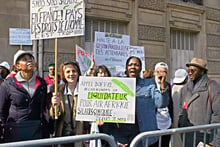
column 62, row 140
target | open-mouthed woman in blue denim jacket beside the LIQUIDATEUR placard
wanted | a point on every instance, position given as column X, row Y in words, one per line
column 148, row 98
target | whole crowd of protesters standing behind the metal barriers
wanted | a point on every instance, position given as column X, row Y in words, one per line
column 29, row 106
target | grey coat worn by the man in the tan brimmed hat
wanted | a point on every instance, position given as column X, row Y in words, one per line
column 197, row 109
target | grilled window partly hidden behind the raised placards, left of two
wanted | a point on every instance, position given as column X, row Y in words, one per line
column 93, row 25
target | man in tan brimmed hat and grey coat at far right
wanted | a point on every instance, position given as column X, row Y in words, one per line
column 200, row 103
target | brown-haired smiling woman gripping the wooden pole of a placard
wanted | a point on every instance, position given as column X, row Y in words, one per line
column 66, row 99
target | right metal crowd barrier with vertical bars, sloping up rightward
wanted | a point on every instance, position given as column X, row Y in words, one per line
column 172, row 132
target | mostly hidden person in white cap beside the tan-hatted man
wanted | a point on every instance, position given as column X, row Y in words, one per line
column 179, row 80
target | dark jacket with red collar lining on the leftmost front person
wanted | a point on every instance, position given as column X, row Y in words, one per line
column 17, row 108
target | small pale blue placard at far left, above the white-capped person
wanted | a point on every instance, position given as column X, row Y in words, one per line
column 19, row 36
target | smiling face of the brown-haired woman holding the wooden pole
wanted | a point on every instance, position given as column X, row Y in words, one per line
column 70, row 73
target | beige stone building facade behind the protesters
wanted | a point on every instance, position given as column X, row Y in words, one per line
column 173, row 31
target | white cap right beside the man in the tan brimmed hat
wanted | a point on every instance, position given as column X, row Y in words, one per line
column 180, row 76
